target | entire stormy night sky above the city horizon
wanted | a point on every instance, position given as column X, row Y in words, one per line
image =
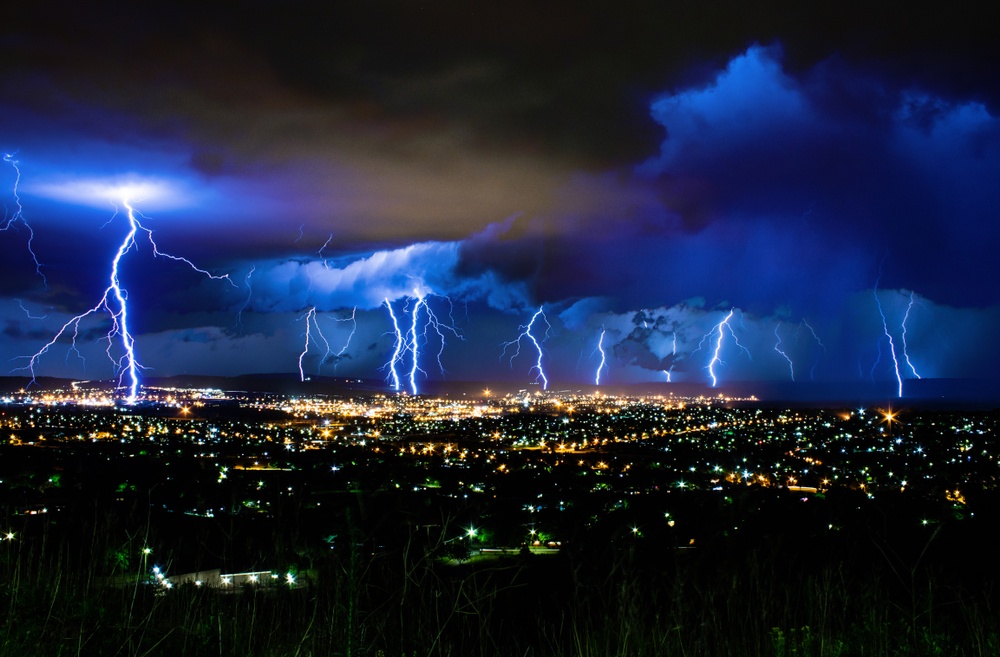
column 643, row 171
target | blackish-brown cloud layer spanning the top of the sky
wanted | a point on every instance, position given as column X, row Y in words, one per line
column 395, row 123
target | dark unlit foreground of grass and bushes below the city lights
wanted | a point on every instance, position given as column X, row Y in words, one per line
column 835, row 575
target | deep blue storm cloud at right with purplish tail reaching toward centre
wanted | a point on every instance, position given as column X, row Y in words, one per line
column 766, row 192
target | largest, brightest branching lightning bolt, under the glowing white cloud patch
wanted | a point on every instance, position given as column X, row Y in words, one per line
column 114, row 301
